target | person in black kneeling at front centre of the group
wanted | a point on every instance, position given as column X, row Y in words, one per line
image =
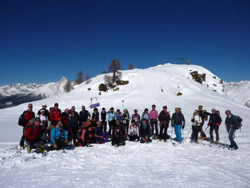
column 118, row 136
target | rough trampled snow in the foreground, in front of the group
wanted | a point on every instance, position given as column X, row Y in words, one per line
column 157, row 164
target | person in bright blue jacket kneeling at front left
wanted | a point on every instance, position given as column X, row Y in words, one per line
column 58, row 136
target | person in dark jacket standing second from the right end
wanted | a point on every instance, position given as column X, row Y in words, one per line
column 214, row 123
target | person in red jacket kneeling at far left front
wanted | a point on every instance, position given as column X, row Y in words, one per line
column 33, row 133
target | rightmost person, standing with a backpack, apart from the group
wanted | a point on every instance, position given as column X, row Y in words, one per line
column 232, row 124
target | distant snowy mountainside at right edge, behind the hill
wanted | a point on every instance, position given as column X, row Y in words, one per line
column 238, row 91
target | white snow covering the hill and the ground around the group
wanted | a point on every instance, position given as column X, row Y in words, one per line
column 156, row 164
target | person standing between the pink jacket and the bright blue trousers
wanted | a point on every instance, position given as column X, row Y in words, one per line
column 164, row 118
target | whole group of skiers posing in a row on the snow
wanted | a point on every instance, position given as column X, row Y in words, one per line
column 59, row 129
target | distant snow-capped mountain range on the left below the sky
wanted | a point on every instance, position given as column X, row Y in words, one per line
column 12, row 95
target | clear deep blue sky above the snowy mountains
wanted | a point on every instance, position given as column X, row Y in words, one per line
column 41, row 41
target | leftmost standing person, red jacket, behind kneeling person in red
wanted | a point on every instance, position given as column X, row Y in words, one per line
column 26, row 116
